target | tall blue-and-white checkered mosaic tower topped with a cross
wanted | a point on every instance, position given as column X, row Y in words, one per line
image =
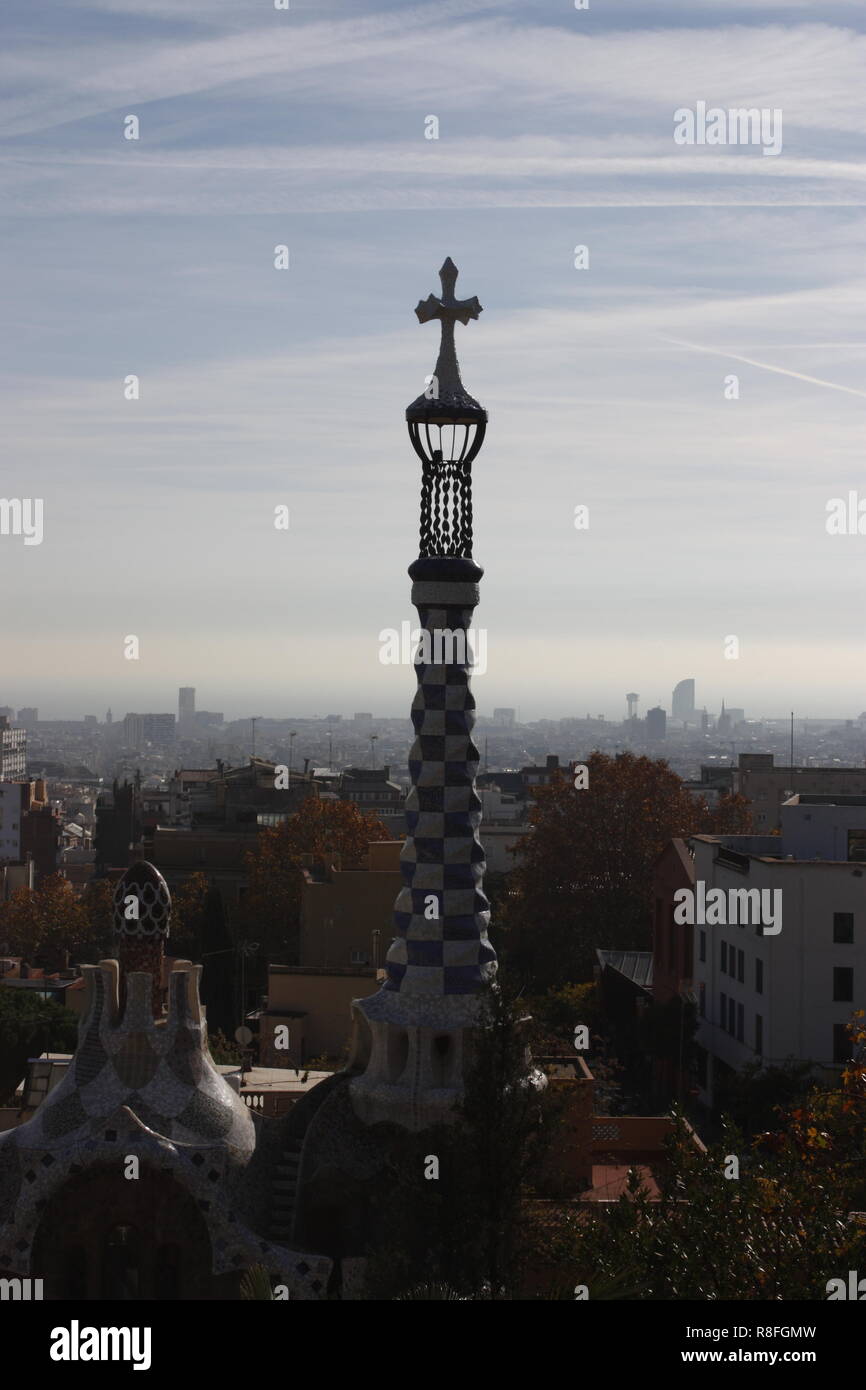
column 411, row 1035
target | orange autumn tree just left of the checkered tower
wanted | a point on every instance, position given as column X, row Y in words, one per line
column 320, row 833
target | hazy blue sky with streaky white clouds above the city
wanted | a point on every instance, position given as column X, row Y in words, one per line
column 608, row 387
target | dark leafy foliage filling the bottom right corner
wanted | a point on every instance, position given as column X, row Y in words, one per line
column 782, row 1224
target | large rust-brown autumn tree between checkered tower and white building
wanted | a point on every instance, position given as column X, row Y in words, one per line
column 585, row 874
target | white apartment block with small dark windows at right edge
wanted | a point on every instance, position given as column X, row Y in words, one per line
column 769, row 997
